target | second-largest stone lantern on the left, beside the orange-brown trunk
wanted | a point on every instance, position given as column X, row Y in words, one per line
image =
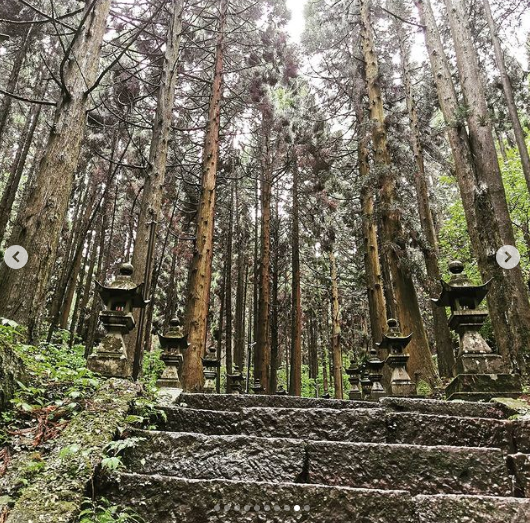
column 173, row 344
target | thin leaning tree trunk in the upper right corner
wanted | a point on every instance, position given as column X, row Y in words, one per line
column 508, row 93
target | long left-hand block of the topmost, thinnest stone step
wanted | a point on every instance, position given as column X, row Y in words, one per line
column 242, row 401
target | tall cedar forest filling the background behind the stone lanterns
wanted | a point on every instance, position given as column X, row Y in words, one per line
column 282, row 199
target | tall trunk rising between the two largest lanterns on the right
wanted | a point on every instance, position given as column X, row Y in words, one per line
column 394, row 243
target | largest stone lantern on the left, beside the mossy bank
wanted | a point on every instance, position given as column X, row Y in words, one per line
column 121, row 297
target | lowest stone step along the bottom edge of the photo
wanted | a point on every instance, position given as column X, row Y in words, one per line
column 162, row 499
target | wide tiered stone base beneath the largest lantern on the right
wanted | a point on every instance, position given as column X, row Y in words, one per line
column 475, row 387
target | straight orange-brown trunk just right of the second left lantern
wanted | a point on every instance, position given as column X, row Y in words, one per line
column 201, row 267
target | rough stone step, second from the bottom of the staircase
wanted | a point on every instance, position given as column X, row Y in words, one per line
column 417, row 469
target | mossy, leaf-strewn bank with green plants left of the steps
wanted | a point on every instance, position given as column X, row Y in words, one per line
column 55, row 431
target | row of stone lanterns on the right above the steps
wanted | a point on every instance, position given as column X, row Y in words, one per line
column 480, row 374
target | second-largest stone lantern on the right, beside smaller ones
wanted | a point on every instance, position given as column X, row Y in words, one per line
column 395, row 343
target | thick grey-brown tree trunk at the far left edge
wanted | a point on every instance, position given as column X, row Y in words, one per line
column 39, row 223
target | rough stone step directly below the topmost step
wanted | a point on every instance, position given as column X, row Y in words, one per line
column 350, row 425
